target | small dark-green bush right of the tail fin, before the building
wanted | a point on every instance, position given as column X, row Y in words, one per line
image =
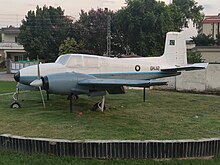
column 203, row 40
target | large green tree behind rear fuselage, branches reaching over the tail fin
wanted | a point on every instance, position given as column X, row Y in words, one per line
column 143, row 24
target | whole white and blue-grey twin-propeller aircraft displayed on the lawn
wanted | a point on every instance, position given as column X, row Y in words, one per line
column 75, row 74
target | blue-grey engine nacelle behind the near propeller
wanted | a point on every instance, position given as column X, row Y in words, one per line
column 65, row 83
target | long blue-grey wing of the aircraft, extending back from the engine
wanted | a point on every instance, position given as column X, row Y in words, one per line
column 120, row 82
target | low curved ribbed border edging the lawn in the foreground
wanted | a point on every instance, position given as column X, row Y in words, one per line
column 117, row 149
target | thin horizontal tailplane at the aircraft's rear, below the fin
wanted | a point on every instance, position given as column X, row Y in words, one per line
column 196, row 66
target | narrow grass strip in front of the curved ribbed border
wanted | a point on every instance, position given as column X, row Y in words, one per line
column 16, row 158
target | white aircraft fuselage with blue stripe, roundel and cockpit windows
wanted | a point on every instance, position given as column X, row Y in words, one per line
column 100, row 67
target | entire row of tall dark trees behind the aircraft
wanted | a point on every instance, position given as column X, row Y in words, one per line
column 139, row 27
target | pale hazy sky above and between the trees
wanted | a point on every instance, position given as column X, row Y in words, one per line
column 13, row 11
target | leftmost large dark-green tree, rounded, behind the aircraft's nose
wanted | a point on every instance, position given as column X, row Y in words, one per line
column 42, row 32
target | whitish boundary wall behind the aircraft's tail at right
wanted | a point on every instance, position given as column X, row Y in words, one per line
column 207, row 80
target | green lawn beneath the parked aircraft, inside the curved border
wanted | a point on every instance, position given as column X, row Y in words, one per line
column 165, row 115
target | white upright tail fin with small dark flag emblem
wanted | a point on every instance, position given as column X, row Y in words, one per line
column 175, row 49
